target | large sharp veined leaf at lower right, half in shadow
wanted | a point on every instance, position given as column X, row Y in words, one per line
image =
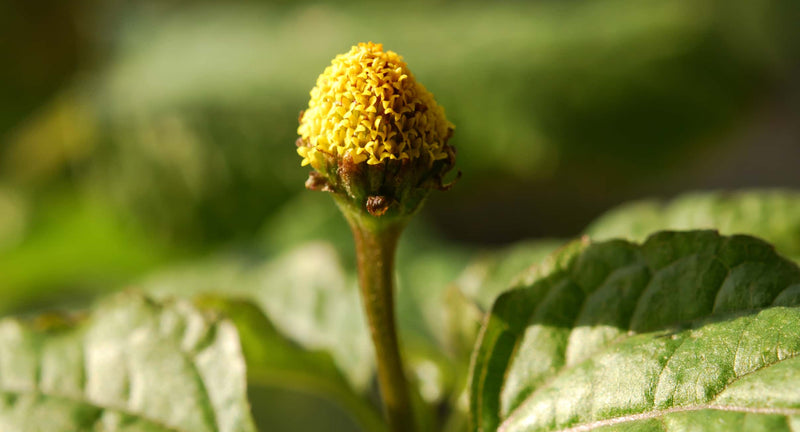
column 688, row 331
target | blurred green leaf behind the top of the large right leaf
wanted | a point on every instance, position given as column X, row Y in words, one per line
column 773, row 215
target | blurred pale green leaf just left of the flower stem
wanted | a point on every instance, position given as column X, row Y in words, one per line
column 305, row 294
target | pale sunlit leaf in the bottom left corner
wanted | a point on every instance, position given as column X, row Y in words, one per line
column 133, row 365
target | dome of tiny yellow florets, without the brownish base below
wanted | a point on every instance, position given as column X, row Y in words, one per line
column 367, row 105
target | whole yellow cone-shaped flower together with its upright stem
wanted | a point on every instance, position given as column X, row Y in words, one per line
column 378, row 142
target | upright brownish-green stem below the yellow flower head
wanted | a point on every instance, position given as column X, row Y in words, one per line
column 375, row 250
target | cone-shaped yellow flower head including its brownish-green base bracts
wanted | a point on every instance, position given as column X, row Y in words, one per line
column 373, row 133
